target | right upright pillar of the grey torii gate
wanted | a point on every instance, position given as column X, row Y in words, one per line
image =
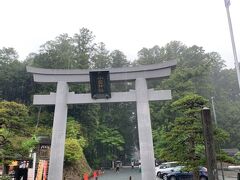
column 145, row 130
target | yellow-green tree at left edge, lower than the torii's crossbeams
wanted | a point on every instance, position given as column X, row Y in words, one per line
column 16, row 131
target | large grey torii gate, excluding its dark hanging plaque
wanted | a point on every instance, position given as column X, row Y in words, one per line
column 141, row 95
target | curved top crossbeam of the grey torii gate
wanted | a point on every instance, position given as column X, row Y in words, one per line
column 116, row 74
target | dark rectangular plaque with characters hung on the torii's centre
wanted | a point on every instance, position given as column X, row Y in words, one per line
column 100, row 84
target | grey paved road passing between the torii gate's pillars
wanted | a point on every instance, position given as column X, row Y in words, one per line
column 124, row 174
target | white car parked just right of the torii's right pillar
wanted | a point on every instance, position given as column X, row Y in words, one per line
column 165, row 168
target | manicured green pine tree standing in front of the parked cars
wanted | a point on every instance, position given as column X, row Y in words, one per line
column 185, row 138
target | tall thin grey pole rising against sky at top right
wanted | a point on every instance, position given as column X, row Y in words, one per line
column 227, row 4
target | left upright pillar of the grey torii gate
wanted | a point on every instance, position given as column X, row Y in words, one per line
column 58, row 132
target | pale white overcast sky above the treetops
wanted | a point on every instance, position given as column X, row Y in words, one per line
column 127, row 25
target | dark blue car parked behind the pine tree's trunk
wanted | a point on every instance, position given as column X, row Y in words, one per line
column 180, row 175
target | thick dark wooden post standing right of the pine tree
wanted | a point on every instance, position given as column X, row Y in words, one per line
column 209, row 144
